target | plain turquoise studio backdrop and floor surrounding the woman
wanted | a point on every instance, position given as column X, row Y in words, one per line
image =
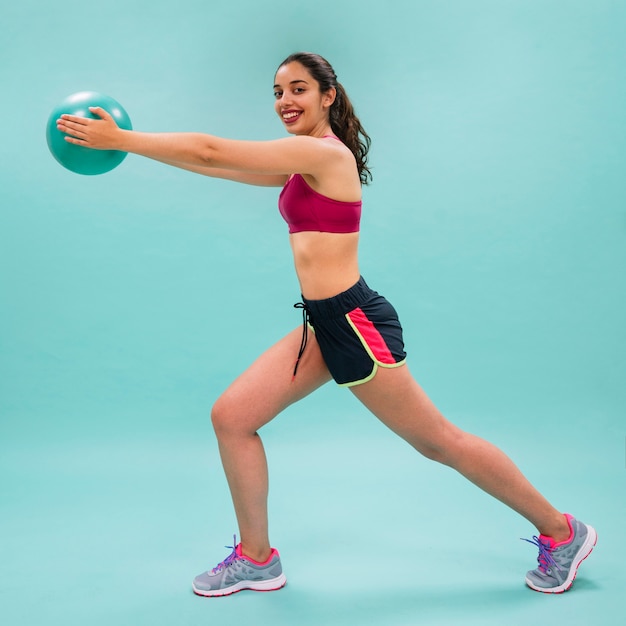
column 496, row 224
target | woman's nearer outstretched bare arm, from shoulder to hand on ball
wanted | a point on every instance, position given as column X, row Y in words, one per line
column 280, row 157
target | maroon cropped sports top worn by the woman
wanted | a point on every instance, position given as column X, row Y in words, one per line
column 305, row 209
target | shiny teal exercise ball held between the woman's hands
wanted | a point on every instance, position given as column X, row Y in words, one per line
column 79, row 159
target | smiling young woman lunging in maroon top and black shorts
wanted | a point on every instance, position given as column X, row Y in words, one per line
column 350, row 333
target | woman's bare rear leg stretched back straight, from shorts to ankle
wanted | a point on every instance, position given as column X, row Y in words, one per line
column 400, row 403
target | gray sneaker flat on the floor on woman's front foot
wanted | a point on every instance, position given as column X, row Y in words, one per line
column 237, row 572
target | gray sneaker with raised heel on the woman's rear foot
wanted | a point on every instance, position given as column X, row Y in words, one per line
column 558, row 562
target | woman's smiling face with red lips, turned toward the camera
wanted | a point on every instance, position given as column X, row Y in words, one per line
column 301, row 106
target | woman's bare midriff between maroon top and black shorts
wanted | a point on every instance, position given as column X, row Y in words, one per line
column 326, row 263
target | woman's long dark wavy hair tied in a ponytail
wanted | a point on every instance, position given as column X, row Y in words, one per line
column 343, row 121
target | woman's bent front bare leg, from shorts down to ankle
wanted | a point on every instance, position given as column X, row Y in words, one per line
column 252, row 400
